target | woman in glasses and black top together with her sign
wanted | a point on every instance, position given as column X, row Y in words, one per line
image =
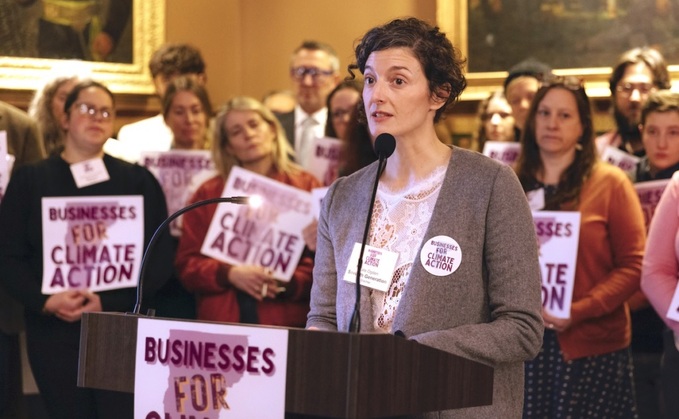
column 74, row 223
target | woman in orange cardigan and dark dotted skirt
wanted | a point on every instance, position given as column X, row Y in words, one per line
column 584, row 367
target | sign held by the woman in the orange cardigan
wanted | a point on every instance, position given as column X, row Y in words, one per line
column 557, row 233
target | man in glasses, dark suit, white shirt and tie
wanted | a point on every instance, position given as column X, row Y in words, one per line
column 314, row 72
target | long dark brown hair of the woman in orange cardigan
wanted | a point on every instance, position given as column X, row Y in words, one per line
column 529, row 163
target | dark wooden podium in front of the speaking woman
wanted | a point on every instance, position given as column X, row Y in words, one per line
column 329, row 374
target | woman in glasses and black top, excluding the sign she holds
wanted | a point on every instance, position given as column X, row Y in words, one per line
column 53, row 321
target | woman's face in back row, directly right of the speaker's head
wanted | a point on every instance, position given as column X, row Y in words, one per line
column 496, row 122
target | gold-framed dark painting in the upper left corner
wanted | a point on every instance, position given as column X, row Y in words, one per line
column 111, row 39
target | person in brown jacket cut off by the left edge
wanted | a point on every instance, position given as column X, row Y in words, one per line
column 25, row 145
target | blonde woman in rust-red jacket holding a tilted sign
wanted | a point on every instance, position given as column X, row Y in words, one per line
column 247, row 135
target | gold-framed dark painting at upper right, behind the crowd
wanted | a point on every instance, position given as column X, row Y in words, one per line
column 574, row 37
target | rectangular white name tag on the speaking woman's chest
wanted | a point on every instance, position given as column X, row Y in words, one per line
column 377, row 269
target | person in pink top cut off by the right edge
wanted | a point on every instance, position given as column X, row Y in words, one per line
column 659, row 282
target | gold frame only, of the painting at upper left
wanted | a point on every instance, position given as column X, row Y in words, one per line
column 148, row 33
